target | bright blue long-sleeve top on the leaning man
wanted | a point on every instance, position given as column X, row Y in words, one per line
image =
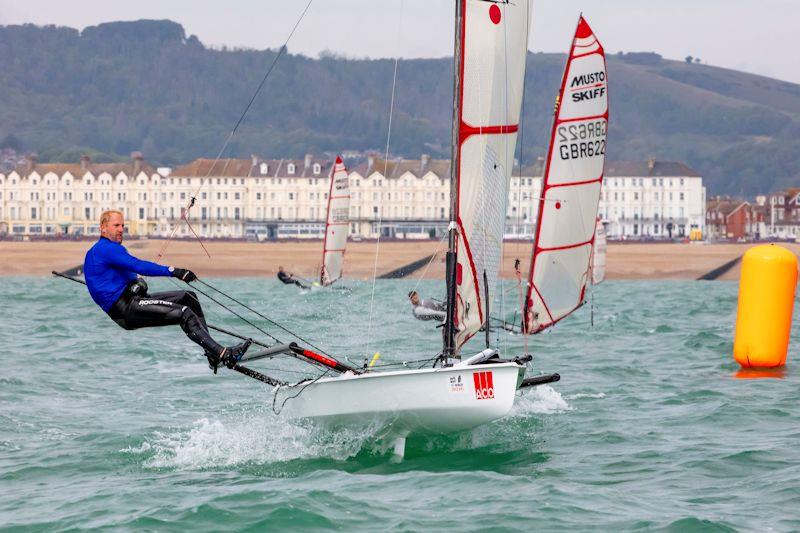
column 109, row 268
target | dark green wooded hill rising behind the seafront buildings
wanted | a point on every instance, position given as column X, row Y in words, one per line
column 124, row 86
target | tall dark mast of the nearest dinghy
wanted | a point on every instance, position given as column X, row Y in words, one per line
column 448, row 348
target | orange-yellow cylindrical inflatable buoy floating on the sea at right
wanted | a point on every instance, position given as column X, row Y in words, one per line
column 766, row 300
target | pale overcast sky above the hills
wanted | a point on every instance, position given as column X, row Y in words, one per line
column 757, row 36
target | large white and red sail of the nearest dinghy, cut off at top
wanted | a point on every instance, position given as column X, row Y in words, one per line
column 494, row 43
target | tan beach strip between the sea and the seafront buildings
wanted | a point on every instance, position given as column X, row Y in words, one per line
column 624, row 261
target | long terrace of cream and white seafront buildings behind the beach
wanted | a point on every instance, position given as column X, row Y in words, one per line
column 287, row 198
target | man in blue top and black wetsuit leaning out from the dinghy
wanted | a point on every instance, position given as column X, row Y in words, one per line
column 111, row 277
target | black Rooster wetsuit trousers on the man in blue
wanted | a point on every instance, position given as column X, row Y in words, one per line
column 134, row 311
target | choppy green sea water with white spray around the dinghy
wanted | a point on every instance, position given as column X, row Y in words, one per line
column 648, row 428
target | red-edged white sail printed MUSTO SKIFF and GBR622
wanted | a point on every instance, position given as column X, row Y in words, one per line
column 571, row 189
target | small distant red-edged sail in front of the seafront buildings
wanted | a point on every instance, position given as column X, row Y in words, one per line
column 337, row 224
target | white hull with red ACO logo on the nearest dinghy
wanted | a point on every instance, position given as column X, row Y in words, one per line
column 425, row 401
